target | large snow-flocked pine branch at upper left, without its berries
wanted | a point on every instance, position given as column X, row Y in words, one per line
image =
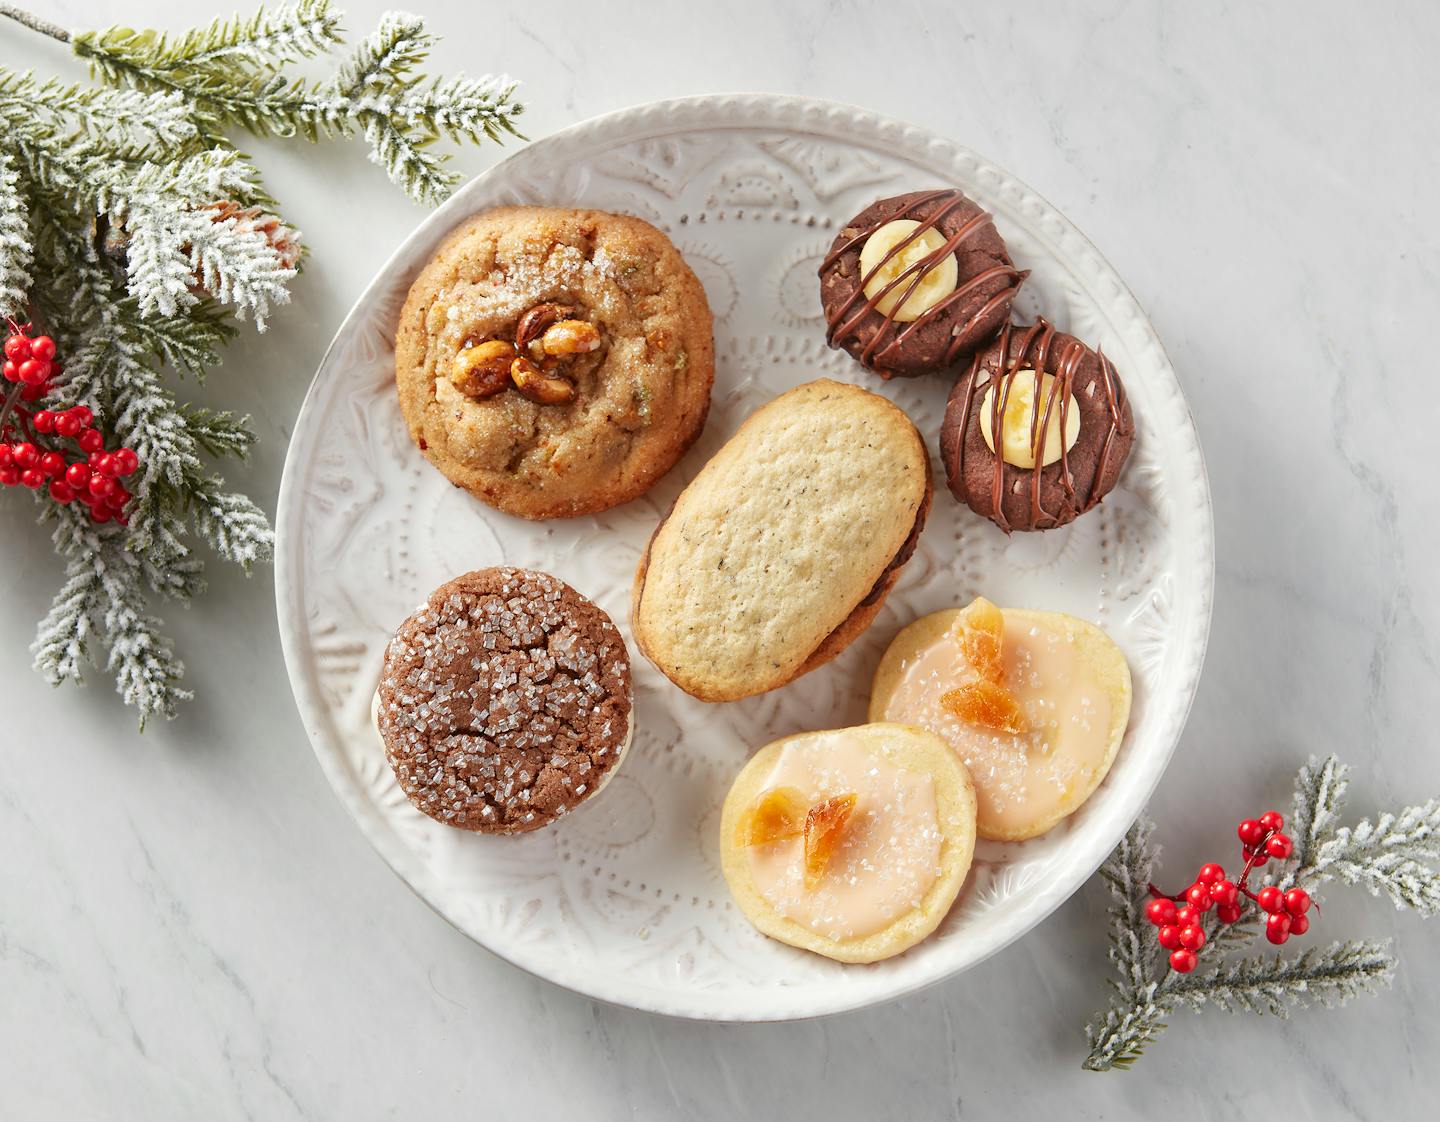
column 140, row 235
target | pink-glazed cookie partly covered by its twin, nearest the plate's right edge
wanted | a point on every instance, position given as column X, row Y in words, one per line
column 1036, row 717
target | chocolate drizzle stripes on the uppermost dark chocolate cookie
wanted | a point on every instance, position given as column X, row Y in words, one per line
column 846, row 319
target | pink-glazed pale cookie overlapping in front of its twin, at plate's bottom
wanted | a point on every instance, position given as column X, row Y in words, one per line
column 901, row 849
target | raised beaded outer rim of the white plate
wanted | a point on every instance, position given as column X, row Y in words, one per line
column 830, row 122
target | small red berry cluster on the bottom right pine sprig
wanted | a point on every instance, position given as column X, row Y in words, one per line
column 1179, row 918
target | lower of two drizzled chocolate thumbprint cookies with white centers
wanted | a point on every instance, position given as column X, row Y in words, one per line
column 1084, row 430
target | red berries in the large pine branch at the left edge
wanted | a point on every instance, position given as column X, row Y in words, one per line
column 35, row 449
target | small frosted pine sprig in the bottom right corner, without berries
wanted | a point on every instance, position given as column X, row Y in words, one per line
column 1396, row 855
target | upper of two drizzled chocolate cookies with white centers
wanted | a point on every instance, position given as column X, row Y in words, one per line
column 917, row 283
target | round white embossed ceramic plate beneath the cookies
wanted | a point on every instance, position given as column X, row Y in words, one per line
column 624, row 899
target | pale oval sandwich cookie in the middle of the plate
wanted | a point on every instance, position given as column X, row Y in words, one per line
column 786, row 545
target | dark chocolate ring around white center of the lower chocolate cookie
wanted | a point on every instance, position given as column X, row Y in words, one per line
column 1061, row 492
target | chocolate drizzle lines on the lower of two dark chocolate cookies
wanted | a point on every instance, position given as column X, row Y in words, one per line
column 1042, row 349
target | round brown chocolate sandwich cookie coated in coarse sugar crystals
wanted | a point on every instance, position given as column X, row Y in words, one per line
column 505, row 702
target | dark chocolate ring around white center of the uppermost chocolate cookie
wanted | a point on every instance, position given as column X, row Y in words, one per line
column 950, row 333
